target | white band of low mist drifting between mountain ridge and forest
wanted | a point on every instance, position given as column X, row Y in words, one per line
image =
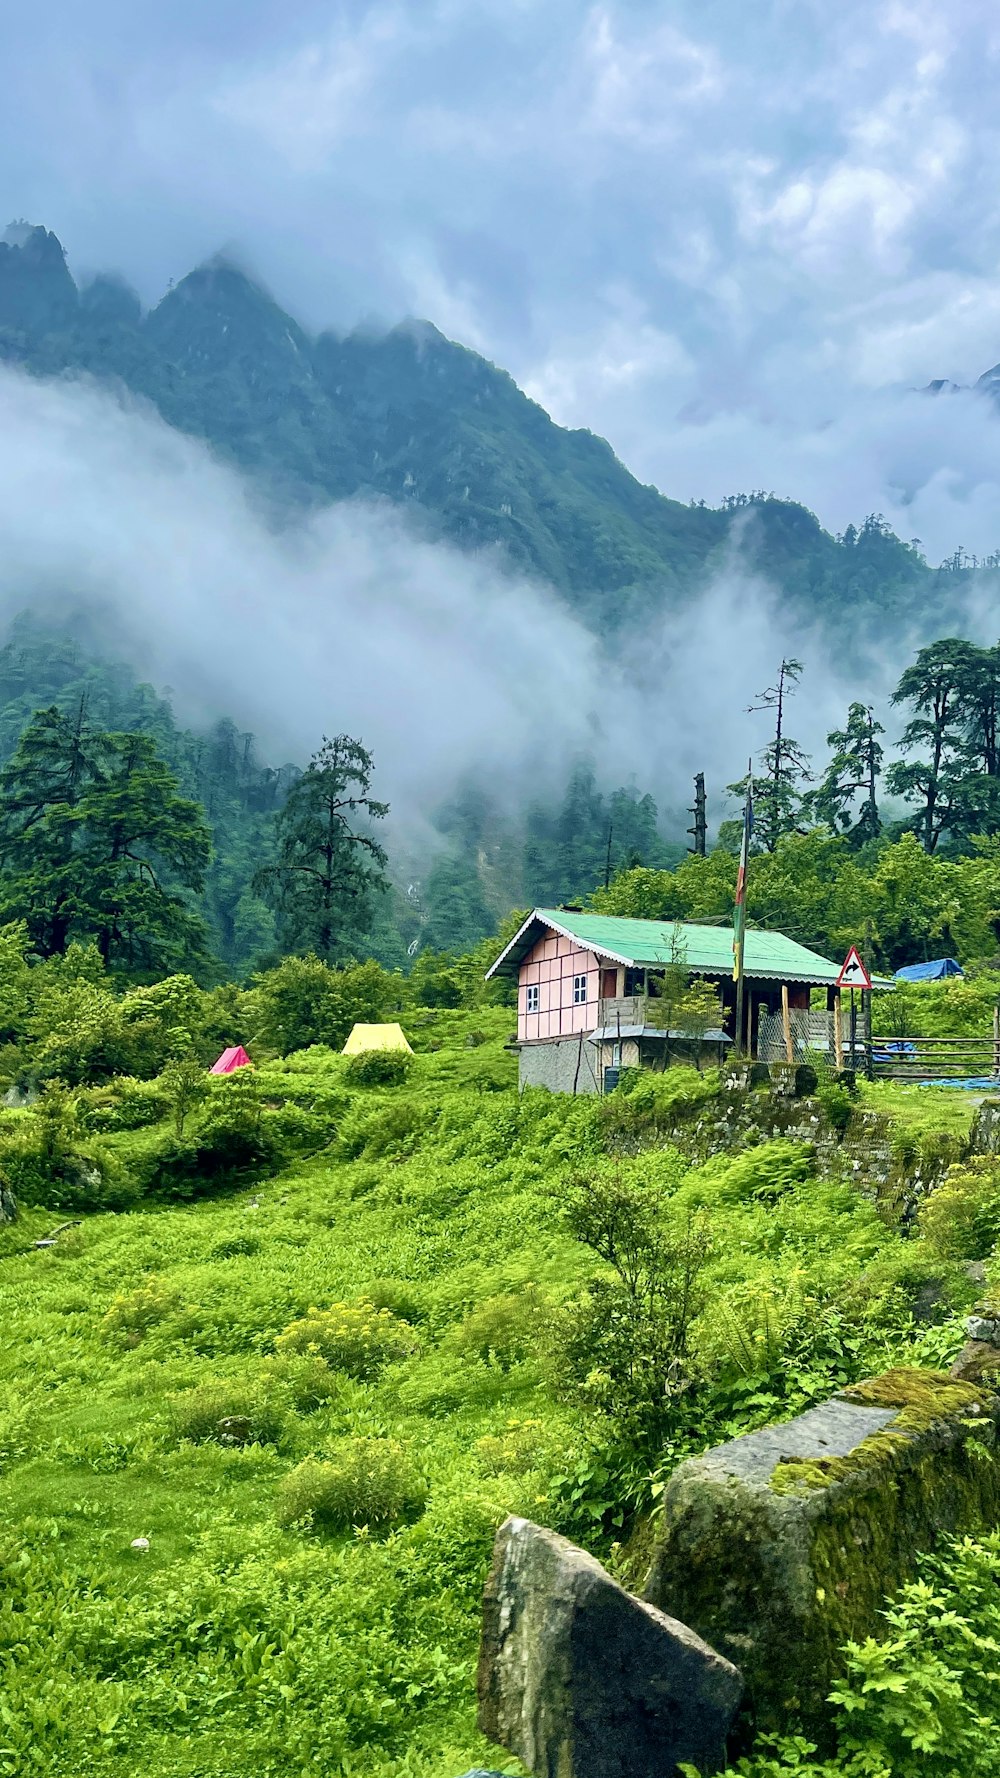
column 442, row 662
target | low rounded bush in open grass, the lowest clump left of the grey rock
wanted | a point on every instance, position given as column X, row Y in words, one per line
column 369, row 1482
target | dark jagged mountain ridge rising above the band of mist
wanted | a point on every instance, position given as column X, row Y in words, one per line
column 415, row 419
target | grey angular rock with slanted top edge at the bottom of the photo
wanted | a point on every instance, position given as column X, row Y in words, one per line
column 583, row 1681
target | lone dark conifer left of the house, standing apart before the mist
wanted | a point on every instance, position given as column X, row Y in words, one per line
column 327, row 872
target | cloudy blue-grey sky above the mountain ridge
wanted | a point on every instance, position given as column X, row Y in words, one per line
column 729, row 237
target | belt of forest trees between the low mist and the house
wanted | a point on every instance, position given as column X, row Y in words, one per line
column 175, row 849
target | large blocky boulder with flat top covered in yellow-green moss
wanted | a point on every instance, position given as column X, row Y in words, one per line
column 782, row 1546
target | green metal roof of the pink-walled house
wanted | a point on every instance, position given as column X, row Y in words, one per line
column 649, row 943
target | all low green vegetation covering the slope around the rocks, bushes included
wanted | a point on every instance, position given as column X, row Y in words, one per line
column 314, row 1331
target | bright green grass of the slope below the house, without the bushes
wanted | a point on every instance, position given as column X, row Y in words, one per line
column 241, row 1647
